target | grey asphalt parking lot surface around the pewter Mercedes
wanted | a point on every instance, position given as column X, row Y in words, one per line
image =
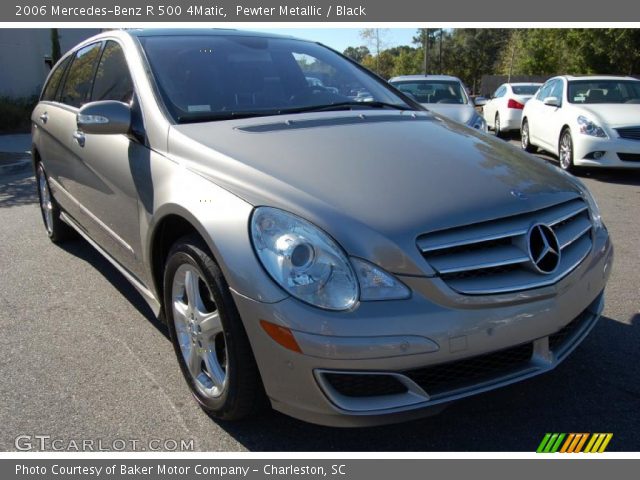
column 84, row 358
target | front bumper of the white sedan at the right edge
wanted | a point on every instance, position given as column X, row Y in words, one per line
column 615, row 149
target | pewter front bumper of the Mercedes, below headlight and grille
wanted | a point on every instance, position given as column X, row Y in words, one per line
column 414, row 341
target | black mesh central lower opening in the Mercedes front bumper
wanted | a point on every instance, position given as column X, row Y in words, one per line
column 447, row 377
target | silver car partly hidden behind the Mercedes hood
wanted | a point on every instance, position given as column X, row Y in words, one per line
column 442, row 94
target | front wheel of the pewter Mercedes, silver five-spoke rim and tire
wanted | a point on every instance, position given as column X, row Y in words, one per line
column 208, row 337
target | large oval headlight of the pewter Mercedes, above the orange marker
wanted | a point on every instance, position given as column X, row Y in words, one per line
column 303, row 260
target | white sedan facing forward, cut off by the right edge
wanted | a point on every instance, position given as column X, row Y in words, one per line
column 591, row 121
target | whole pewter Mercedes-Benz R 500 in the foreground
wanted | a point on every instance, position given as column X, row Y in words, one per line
column 333, row 249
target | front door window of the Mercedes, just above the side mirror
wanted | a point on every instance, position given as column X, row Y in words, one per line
column 113, row 81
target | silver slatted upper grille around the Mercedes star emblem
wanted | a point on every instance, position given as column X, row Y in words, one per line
column 492, row 257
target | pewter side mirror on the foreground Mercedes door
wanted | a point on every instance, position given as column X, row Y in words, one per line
column 104, row 118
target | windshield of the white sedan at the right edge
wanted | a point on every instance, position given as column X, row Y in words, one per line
column 604, row 91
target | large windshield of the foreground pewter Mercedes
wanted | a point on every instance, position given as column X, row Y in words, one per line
column 203, row 78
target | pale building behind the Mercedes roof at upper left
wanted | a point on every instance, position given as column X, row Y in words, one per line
column 22, row 57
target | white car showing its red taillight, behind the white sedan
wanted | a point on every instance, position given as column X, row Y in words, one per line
column 503, row 112
